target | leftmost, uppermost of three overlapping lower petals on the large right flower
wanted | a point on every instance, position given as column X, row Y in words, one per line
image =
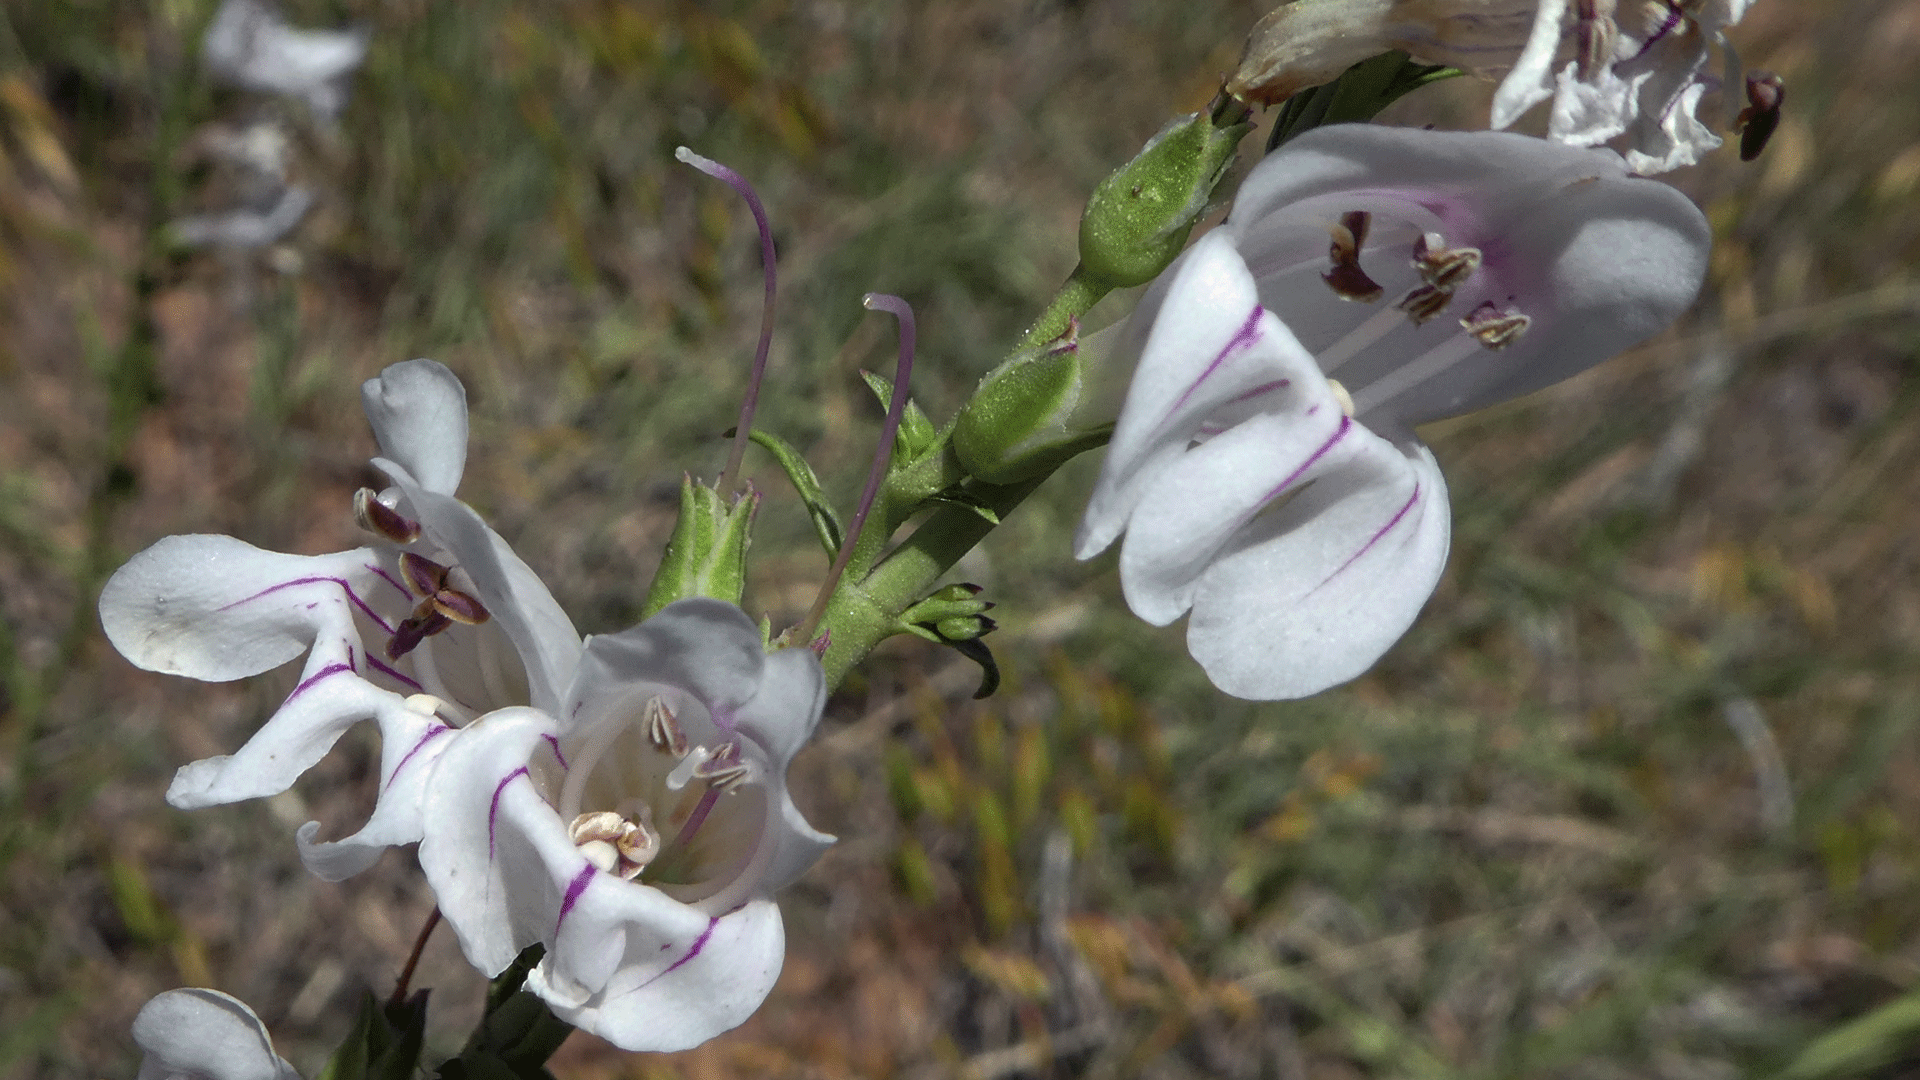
column 1209, row 345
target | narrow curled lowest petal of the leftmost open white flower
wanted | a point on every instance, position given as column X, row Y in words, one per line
column 410, row 745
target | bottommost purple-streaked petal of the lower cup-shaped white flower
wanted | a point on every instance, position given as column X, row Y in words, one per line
column 690, row 996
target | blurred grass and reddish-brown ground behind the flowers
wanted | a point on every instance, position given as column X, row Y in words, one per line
column 1639, row 797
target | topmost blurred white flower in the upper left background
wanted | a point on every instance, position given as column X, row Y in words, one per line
column 251, row 45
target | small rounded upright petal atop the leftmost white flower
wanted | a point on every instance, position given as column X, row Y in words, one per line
column 420, row 418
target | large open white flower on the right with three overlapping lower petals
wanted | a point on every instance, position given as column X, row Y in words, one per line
column 1299, row 518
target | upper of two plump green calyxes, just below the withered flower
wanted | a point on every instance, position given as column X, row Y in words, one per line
column 1140, row 218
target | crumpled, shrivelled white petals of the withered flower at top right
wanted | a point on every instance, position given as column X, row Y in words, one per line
column 1639, row 72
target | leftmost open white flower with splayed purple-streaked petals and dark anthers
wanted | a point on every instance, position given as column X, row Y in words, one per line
column 458, row 626
